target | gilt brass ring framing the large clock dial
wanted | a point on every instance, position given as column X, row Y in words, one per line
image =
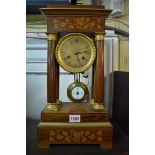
column 67, row 67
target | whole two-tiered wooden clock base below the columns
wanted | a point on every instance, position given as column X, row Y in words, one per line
column 94, row 127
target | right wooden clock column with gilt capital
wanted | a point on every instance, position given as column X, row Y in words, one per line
column 98, row 81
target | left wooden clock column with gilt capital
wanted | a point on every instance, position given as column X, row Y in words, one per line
column 52, row 70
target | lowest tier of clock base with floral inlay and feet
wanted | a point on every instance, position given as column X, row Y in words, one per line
column 80, row 133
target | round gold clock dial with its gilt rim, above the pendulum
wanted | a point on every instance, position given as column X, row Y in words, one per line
column 75, row 52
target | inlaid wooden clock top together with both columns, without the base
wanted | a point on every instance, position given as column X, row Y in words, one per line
column 75, row 18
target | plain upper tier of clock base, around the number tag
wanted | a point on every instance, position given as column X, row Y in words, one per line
column 66, row 109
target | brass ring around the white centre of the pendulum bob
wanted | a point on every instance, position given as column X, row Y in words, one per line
column 77, row 84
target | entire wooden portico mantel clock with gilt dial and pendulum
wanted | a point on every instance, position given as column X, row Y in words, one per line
column 94, row 126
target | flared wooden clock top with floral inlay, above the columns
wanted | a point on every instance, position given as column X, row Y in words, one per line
column 75, row 18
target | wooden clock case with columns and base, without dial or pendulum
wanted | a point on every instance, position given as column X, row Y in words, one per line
column 95, row 126
